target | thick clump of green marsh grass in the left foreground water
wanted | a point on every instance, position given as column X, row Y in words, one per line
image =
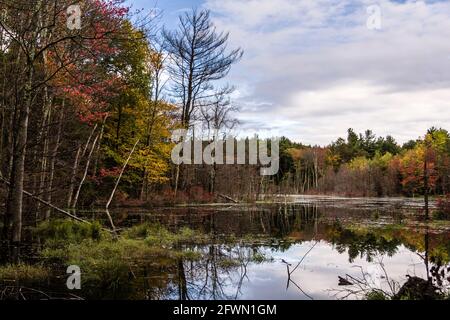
column 113, row 265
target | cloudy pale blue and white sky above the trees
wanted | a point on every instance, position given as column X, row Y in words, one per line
column 313, row 69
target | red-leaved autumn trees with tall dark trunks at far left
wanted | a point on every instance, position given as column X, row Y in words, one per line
column 50, row 69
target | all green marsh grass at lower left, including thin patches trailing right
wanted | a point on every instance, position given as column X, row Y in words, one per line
column 143, row 256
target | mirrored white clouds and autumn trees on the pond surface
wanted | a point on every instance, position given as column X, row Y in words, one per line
column 307, row 250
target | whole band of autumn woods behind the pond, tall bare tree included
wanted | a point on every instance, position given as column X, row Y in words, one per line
column 86, row 115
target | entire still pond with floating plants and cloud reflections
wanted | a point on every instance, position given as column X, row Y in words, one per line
column 301, row 250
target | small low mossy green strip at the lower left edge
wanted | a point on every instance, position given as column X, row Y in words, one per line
column 24, row 273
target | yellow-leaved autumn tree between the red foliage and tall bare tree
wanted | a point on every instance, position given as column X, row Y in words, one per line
column 137, row 115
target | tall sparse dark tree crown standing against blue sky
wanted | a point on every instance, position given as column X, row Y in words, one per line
column 199, row 56
